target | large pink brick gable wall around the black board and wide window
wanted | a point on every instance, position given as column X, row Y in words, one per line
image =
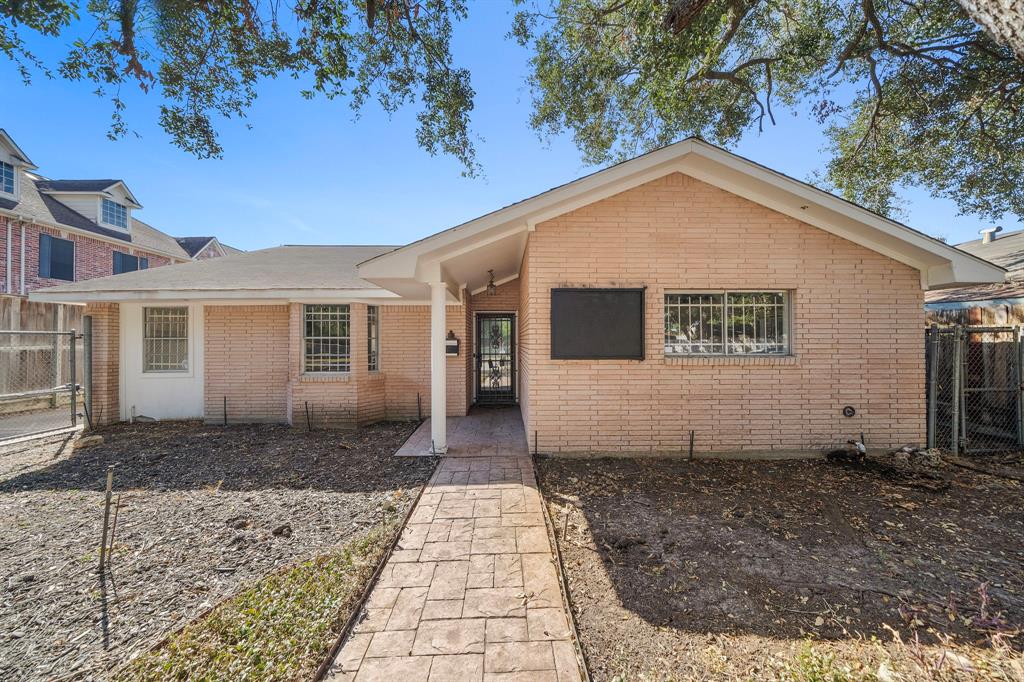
column 858, row 321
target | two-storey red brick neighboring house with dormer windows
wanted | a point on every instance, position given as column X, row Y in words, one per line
column 54, row 232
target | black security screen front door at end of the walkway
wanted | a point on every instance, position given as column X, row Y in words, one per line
column 495, row 359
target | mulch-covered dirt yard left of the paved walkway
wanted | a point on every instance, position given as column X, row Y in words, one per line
column 203, row 511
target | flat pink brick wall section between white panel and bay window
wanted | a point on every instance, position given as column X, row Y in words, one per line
column 246, row 360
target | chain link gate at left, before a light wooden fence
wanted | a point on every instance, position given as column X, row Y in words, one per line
column 39, row 381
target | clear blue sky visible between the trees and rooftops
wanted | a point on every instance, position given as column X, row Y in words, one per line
column 310, row 173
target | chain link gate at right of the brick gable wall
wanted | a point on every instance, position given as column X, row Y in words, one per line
column 974, row 389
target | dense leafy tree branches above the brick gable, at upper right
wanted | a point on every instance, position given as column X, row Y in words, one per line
column 912, row 93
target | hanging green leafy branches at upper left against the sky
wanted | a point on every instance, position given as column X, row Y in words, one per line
column 206, row 60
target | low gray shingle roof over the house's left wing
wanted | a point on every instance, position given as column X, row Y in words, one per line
column 288, row 268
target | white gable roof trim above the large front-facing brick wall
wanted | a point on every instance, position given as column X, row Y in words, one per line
column 941, row 265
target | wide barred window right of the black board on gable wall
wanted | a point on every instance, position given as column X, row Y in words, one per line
column 728, row 324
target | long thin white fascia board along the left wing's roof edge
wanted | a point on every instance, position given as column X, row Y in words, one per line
column 279, row 295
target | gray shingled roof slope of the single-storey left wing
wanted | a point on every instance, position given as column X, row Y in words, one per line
column 308, row 272
